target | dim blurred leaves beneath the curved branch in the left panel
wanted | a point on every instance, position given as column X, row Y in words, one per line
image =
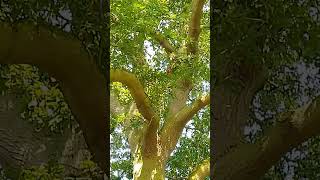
column 44, row 104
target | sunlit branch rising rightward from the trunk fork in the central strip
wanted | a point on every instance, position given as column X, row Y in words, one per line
column 173, row 127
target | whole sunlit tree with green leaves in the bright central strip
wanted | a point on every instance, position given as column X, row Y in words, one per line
column 155, row 97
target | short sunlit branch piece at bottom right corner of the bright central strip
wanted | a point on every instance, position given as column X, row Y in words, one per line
column 201, row 171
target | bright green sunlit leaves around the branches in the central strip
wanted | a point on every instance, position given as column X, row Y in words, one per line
column 139, row 33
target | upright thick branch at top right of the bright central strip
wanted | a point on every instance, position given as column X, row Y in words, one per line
column 194, row 26
